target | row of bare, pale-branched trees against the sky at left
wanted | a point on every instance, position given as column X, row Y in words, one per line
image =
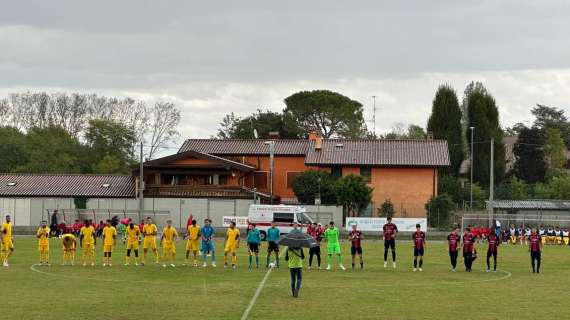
column 154, row 125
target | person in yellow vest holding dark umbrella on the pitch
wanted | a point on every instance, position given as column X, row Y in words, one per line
column 295, row 256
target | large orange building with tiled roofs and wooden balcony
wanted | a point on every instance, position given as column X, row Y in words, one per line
column 402, row 171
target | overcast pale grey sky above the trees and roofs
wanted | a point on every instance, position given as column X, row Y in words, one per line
column 214, row 57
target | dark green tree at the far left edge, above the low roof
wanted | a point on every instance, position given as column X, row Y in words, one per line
column 12, row 149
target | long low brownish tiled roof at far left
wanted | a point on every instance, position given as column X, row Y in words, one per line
column 66, row 185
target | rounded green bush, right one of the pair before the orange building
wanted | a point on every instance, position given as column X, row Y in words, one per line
column 353, row 193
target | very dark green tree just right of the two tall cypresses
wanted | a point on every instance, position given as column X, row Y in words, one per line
column 530, row 165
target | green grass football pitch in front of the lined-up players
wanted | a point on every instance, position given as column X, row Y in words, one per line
column 153, row 292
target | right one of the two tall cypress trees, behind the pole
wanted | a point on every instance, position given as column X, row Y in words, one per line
column 483, row 115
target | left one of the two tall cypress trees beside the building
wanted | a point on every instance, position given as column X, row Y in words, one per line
column 445, row 123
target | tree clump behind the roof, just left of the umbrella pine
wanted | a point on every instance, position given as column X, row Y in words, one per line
column 264, row 122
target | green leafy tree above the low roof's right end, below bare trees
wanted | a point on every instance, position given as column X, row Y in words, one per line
column 105, row 137
